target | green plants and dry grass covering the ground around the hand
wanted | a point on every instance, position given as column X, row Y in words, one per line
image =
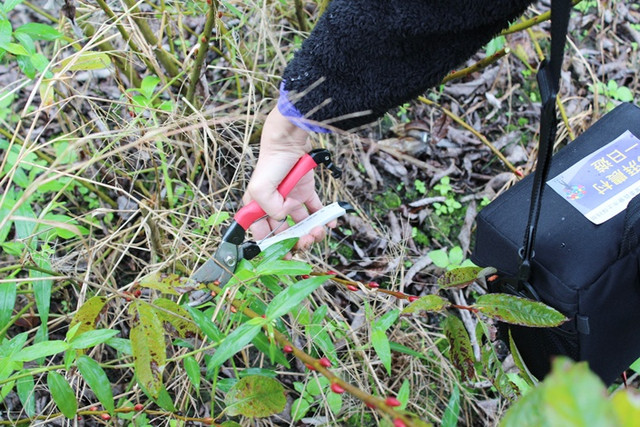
column 128, row 133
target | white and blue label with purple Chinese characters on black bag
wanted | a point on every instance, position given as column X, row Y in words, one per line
column 602, row 184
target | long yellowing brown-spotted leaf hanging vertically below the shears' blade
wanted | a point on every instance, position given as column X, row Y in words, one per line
column 147, row 343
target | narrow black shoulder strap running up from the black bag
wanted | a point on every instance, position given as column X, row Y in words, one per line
column 549, row 82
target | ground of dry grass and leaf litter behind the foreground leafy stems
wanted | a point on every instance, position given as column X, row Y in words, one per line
column 106, row 179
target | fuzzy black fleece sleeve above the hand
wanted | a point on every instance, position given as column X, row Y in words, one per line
column 367, row 56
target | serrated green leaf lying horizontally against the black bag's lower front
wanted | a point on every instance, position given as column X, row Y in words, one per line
column 518, row 311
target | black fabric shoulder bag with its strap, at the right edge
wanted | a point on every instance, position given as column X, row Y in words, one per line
column 589, row 272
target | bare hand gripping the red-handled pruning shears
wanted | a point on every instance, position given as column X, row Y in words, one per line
column 281, row 146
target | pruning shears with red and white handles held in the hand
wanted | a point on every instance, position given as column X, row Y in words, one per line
column 233, row 248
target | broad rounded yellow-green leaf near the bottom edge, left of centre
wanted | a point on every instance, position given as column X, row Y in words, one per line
column 256, row 396
